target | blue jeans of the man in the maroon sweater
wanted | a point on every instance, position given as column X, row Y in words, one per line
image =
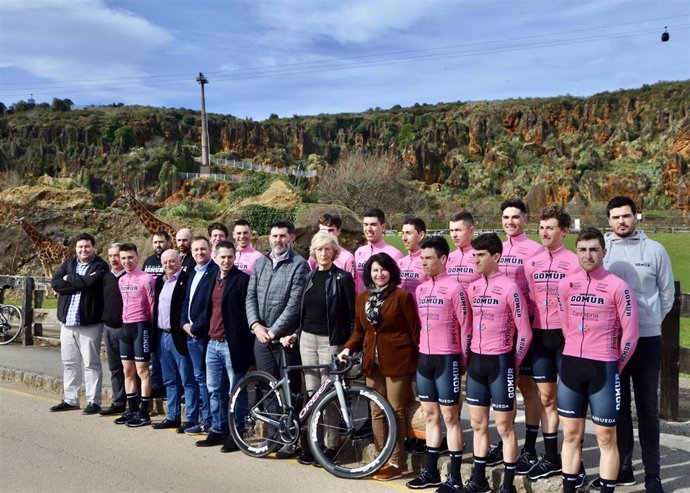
column 221, row 378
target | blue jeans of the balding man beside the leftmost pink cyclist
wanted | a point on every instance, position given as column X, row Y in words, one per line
column 177, row 369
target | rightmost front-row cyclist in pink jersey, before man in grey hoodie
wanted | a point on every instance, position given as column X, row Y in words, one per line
column 599, row 319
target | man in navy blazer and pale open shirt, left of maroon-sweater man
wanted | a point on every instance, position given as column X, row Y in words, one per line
column 195, row 322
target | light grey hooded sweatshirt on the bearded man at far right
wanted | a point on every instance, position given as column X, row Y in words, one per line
column 644, row 264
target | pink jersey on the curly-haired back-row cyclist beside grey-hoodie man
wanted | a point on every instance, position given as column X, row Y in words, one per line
column 543, row 273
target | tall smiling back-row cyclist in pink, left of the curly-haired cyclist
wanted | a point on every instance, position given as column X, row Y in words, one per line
column 517, row 249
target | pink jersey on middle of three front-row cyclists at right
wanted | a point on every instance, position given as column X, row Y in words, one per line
column 498, row 310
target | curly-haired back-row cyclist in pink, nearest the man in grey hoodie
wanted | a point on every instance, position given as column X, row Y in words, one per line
column 543, row 273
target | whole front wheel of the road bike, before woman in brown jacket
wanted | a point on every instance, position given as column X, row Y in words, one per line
column 351, row 452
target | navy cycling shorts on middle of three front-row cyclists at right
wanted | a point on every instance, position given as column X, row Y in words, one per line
column 491, row 380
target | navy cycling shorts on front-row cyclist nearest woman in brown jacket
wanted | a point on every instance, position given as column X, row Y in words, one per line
column 438, row 378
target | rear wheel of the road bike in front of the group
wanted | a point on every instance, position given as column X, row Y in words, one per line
column 255, row 404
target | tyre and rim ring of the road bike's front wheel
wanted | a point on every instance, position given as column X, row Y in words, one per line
column 381, row 458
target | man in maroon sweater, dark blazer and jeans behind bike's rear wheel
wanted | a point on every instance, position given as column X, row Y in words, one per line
column 229, row 353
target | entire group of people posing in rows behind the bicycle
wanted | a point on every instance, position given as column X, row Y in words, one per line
column 569, row 330
